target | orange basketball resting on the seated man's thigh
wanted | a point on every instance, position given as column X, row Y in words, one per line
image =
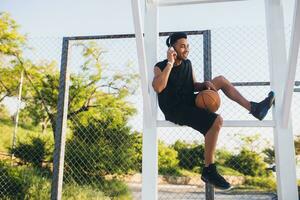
column 208, row 99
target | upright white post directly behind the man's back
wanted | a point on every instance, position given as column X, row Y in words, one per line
column 150, row 142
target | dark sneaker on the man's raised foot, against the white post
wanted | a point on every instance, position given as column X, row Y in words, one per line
column 260, row 110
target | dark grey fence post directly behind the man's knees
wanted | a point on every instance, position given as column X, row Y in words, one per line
column 209, row 189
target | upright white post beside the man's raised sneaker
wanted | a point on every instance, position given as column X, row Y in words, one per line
column 283, row 136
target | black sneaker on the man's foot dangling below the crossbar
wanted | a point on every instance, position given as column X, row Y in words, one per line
column 211, row 175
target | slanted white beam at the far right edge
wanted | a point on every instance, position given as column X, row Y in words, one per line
column 292, row 64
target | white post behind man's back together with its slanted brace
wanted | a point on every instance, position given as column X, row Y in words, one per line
column 146, row 60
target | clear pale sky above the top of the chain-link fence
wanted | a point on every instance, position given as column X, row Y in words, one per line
column 96, row 17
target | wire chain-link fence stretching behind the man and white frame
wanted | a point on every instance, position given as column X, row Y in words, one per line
column 103, row 151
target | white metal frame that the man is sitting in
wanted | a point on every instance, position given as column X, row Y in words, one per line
column 280, row 73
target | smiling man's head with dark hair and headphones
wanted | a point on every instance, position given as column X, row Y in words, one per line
column 178, row 41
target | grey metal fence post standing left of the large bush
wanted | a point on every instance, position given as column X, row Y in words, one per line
column 61, row 125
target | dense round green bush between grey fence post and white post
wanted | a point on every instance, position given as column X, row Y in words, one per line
column 99, row 147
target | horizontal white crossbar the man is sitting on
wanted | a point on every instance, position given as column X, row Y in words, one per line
column 226, row 123
